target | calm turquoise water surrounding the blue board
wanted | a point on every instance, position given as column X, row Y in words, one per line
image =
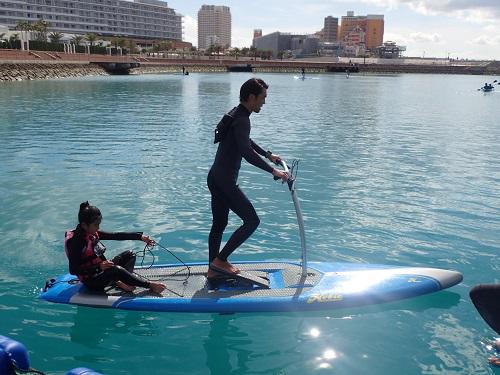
column 398, row 169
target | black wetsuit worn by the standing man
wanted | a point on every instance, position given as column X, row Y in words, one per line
column 226, row 195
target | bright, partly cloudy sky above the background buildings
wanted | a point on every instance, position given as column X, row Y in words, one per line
column 428, row 28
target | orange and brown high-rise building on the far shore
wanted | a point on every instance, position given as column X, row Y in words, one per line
column 369, row 30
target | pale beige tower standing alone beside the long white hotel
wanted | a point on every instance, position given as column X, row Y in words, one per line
column 214, row 26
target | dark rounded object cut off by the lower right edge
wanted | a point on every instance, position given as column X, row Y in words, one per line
column 486, row 298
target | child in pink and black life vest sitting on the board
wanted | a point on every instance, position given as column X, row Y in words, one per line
column 86, row 258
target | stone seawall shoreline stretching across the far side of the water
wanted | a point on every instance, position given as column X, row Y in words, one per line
column 22, row 70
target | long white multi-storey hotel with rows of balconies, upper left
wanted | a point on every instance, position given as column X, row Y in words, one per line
column 150, row 19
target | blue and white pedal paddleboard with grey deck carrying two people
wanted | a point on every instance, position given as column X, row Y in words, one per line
column 326, row 286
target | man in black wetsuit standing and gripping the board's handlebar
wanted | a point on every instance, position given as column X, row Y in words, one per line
column 222, row 178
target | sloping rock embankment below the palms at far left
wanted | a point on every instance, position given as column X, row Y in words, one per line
column 33, row 71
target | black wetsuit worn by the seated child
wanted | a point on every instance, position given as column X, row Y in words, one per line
column 93, row 276
